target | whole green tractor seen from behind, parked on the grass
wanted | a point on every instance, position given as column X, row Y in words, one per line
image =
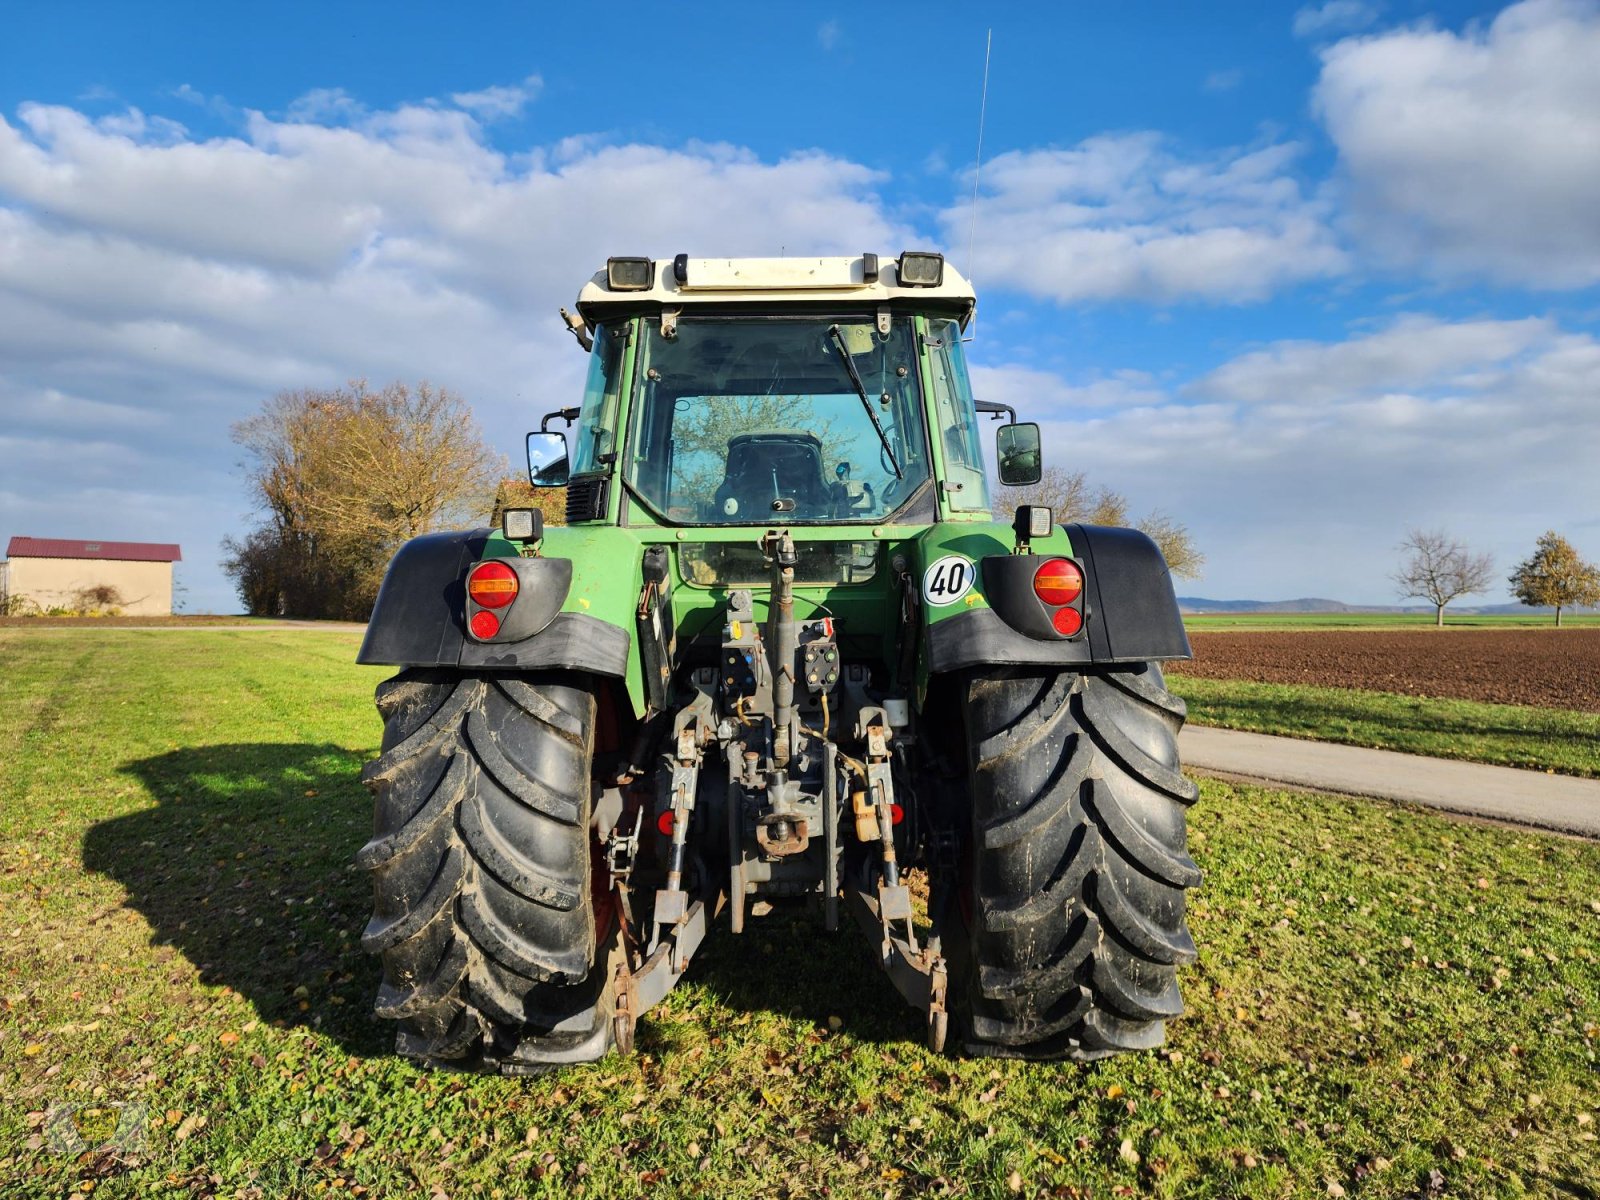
column 780, row 655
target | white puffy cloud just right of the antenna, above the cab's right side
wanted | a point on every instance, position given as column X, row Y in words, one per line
column 1127, row 218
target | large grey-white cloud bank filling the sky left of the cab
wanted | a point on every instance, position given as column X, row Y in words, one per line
column 156, row 287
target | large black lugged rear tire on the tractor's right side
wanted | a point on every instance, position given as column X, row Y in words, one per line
column 1073, row 903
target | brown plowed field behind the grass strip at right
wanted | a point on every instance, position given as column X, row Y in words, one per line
column 1548, row 668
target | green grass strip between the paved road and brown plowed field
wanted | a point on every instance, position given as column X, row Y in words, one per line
column 1508, row 735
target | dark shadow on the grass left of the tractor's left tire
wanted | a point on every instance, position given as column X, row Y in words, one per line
column 244, row 866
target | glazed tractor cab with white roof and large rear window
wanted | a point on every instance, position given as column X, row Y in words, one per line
column 754, row 391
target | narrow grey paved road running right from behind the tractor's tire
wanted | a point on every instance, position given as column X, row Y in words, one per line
column 1558, row 802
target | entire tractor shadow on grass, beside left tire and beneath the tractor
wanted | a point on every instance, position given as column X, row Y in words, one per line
column 246, row 868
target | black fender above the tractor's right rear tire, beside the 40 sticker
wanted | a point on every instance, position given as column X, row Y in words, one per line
column 1132, row 614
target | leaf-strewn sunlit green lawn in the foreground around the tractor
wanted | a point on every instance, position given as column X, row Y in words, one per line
column 1386, row 1002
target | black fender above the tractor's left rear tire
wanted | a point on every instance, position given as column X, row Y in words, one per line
column 418, row 618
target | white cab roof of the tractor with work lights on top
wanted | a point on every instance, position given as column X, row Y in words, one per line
column 697, row 284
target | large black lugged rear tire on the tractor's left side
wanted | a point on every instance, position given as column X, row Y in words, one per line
column 481, row 862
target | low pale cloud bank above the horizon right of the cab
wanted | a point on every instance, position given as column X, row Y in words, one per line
column 1300, row 466
